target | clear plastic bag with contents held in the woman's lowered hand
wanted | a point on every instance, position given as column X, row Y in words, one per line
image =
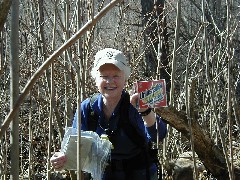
column 95, row 152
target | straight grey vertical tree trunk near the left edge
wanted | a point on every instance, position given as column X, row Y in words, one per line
column 14, row 74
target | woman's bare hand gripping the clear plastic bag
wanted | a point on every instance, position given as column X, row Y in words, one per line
column 58, row 160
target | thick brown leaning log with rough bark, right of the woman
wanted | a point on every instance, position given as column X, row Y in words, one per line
column 211, row 155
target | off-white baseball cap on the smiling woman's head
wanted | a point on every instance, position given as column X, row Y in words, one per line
column 111, row 56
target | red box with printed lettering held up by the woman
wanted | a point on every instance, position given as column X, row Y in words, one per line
column 151, row 93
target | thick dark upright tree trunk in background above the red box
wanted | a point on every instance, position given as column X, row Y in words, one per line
column 155, row 37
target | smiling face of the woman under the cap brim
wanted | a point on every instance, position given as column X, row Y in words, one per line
column 110, row 81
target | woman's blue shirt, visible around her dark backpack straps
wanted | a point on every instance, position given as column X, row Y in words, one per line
column 124, row 147
